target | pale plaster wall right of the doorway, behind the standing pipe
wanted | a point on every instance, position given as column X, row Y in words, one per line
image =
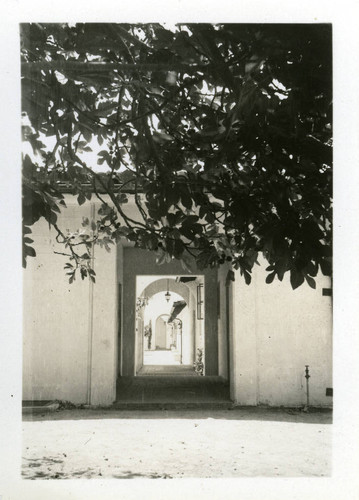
column 276, row 332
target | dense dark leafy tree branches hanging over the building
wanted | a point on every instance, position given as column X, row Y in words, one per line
column 222, row 133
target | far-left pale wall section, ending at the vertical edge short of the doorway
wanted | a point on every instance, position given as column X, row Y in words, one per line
column 55, row 320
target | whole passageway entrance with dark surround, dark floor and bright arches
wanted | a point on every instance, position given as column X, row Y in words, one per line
column 169, row 330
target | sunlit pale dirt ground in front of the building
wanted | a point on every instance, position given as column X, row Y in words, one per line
column 176, row 444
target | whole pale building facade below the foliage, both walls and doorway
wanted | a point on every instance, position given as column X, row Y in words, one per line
column 80, row 337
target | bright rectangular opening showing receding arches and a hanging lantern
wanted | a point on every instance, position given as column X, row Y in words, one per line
column 169, row 325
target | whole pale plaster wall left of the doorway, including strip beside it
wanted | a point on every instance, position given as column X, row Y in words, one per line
column 69, row 353
